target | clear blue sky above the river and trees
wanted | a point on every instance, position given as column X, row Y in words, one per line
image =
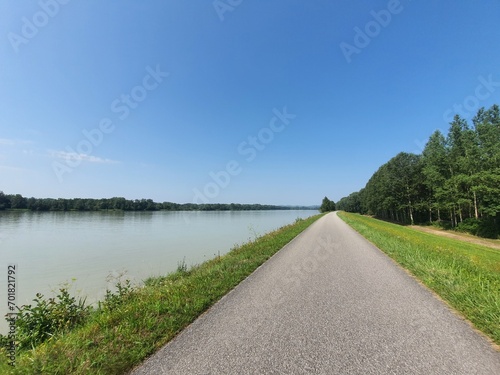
column 273, row 102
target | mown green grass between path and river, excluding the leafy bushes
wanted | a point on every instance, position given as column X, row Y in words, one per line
column 113, row 341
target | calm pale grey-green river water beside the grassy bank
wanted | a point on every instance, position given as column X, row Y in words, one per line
column 91, row 251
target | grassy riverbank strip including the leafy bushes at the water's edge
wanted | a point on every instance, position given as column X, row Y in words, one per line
column 63, row 336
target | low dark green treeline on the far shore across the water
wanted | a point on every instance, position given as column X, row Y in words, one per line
column 17, row 201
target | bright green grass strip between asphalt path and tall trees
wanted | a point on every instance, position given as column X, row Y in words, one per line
column 465, row 275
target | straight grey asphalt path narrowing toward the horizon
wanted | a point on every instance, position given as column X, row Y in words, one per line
column 328, row 303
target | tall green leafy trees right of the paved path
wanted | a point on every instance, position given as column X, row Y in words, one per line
column 455, row 181
